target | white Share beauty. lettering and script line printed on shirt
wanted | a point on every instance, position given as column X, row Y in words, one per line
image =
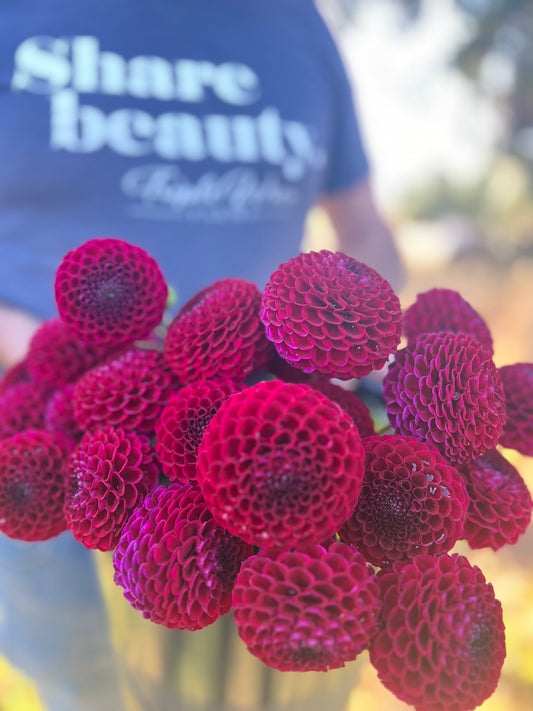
column 256, row 160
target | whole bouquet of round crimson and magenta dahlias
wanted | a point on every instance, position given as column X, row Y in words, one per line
column 226, row 467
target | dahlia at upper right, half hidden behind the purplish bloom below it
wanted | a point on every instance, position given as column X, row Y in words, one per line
column 444, row 310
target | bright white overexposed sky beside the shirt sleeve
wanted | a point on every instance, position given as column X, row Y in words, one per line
column 419, row 115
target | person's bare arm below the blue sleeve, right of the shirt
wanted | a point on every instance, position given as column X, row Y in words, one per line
column 362, row 232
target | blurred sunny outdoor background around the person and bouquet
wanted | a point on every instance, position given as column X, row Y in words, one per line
column 445, row 95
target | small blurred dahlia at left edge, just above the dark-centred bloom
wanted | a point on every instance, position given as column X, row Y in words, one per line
column 22, row 407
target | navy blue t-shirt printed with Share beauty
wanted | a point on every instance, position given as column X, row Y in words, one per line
column 201, row 130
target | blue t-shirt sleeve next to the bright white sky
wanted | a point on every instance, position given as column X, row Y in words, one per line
column 347, row 161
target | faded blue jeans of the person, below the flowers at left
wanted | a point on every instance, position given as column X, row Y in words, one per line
column 54, row 626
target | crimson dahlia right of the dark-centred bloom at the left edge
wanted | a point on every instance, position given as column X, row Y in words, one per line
column 108, row 475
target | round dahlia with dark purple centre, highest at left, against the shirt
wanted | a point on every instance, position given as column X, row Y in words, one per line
column 111, row 292
